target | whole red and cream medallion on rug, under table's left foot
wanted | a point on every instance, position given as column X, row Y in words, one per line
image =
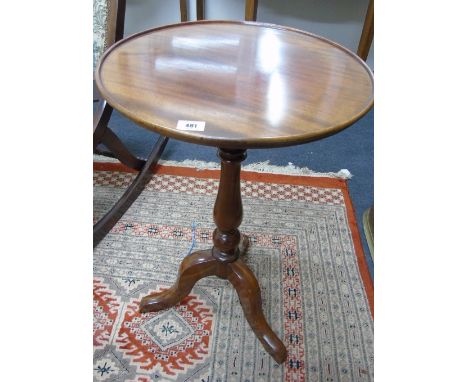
column 171, row 342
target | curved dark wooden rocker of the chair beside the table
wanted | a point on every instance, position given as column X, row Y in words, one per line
column 105, row 224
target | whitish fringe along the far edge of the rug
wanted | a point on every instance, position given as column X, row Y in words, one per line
column 262, row 167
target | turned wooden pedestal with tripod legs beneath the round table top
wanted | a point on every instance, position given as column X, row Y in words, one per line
column 223, row 259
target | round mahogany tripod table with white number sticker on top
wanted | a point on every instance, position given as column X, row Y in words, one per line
column 235, row 86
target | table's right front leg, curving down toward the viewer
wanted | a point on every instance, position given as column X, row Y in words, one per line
column 246, row 285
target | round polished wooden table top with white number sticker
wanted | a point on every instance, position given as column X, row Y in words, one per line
column 253, row 85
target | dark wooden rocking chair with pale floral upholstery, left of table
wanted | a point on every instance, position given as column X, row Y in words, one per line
column 108, row 25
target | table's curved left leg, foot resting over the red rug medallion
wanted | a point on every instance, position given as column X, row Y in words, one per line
column 193, row 268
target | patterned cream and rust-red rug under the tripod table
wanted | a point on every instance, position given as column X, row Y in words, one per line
column 305, row 251
